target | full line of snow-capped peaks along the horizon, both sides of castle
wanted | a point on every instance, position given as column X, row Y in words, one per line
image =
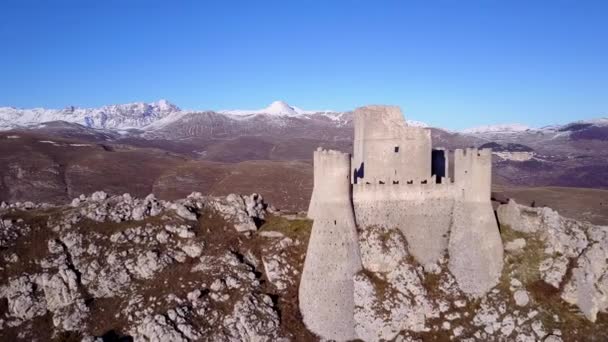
column 162, row 115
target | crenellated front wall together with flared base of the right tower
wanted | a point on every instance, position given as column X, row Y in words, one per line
column 438, row 220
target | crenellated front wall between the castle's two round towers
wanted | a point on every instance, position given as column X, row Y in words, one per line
column 423, row 212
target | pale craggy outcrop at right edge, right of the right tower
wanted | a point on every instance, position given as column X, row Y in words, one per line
column 569, row 247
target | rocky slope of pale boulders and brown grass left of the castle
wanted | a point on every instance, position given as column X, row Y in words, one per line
column 151, row 259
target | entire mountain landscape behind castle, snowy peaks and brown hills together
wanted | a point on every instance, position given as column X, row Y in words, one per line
column 56, row 154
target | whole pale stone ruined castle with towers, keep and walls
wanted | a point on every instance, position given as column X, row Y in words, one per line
column 438, row 199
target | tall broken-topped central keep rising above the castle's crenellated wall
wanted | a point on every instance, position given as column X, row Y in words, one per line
column 387, row 150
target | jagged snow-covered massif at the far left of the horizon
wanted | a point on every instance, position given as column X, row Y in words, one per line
column 123, row 116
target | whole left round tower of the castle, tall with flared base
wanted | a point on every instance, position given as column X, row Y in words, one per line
column 326, row 291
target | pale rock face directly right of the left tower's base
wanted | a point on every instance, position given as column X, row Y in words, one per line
column 389, row 295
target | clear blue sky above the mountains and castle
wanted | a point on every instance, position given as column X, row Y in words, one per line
column 453, row 64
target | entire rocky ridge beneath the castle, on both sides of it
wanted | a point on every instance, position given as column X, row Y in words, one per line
column 227, row 268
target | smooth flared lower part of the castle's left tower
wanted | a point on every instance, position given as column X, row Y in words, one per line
column 326, row 292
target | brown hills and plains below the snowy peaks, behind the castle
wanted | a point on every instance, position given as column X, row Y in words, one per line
column 213, row 154
